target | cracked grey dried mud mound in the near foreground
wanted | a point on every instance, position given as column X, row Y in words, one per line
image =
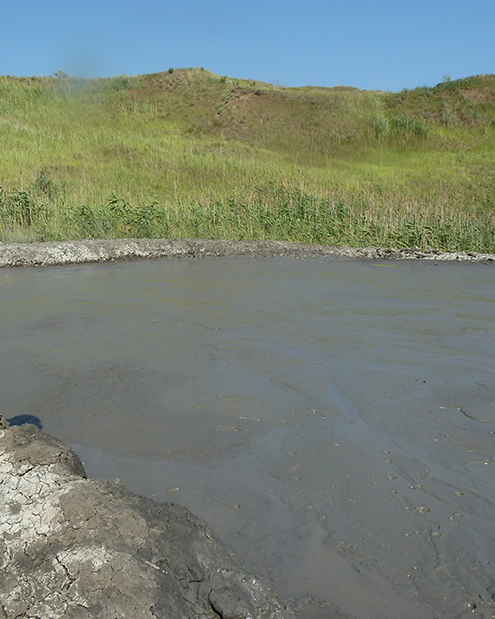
column 78, row 548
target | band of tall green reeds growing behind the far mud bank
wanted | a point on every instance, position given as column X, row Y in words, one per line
column 268, row 211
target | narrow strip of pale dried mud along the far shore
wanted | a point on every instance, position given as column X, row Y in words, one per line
column 92, row 251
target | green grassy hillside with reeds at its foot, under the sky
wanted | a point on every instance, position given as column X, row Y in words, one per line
column 186, row 153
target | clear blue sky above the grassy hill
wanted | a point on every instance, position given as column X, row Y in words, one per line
column 380, row 45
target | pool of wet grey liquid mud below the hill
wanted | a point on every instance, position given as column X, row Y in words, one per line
column 332, row 420
